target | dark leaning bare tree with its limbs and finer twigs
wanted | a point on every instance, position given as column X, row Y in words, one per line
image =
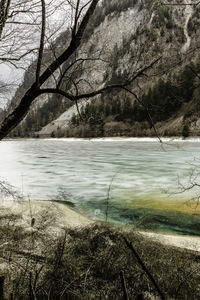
column 81, row 13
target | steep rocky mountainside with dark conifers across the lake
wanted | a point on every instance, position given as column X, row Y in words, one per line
column 122, row 38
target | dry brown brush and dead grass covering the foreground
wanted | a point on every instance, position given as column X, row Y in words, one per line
column 92, row 263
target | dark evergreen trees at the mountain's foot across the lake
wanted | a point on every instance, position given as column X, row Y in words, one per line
column 161, row 102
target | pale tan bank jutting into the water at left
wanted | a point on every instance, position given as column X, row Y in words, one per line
column 56, row 215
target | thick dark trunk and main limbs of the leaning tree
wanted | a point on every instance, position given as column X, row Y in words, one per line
column 13, row 119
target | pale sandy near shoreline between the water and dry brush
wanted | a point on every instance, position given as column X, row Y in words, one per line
column 60, row 216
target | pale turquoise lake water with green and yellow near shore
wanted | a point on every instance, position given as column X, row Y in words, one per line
column 137, row 178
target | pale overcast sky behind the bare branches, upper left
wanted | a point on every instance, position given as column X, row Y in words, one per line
column 57, row 22
